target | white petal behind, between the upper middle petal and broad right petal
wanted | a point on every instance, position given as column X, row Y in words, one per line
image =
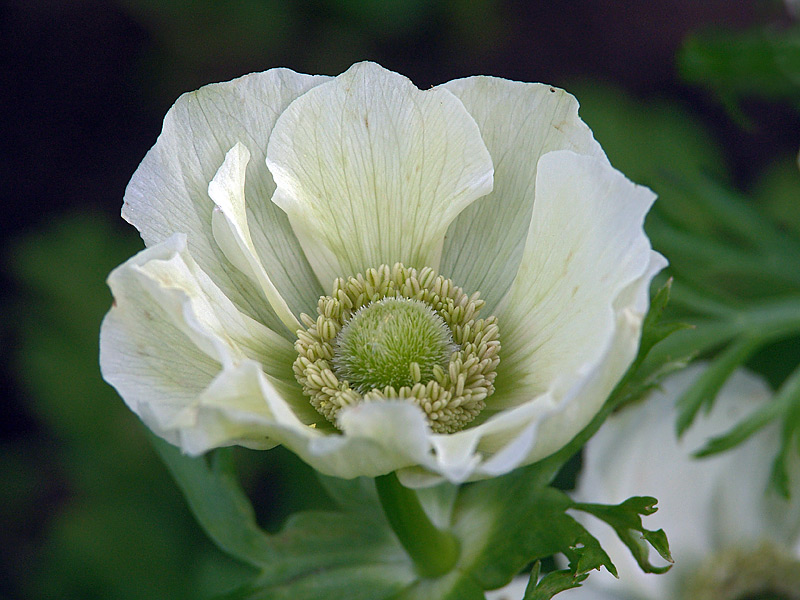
column 519, row 123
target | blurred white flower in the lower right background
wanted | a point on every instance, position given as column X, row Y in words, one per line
column 722, row 522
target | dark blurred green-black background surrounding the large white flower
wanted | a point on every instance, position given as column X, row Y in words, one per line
column 695, row 99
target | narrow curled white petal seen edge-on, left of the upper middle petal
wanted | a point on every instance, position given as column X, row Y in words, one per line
column 229, row 225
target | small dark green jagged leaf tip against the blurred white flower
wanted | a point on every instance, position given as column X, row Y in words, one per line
column 626, row 519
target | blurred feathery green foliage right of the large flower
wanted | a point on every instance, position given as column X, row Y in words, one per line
column 735, row 259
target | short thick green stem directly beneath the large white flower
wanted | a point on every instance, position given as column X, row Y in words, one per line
column 433, row 550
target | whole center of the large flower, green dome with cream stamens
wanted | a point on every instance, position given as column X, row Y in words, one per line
column 395, row 332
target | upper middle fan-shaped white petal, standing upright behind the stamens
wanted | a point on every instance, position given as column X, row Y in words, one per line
column 372, row 170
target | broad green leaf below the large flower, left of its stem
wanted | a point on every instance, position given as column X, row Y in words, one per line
column 317, row 554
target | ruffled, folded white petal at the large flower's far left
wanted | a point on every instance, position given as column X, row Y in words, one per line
column 170, row 334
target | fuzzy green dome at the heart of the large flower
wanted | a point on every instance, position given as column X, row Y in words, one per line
column 392, row 342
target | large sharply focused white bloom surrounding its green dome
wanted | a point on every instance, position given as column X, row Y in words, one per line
column 262, row 191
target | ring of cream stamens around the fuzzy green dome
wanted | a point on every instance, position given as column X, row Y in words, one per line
column 451, row 394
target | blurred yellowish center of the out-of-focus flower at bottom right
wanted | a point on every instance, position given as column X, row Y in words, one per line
column 765, row 573
